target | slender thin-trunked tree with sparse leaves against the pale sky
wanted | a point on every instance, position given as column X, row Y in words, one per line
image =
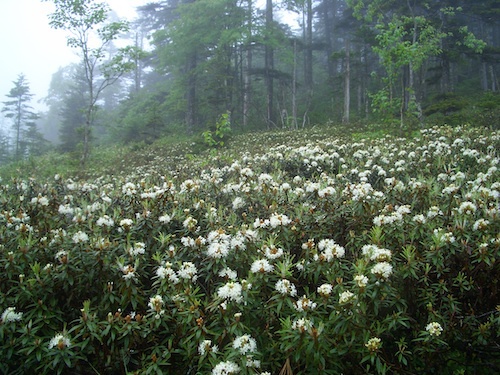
column 91, row 35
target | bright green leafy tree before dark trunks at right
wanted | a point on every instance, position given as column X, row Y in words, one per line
column 408, row 34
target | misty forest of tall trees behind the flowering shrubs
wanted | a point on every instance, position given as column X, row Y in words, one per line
column 401, row 62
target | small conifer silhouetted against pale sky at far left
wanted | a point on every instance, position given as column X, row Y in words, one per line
column 20, row 111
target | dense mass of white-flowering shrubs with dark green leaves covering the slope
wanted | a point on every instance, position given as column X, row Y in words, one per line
column 374, row 256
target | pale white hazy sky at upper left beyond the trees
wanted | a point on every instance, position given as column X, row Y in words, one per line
column 31, row 47
